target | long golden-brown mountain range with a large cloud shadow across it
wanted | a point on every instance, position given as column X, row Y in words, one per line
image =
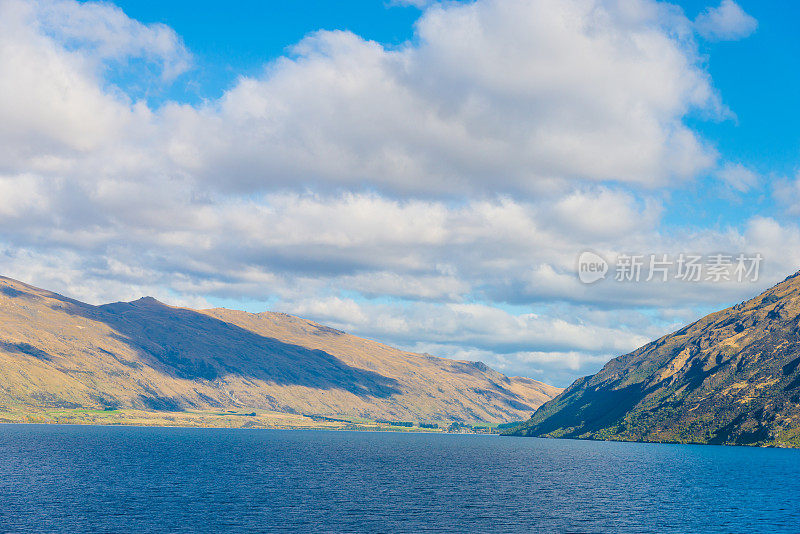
column 59, row 355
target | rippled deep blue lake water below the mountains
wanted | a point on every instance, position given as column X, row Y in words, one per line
column 128, row 479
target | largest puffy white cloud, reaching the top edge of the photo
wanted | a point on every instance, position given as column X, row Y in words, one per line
column 516, row 94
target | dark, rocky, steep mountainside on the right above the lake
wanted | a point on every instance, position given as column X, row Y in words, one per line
column 732, row 377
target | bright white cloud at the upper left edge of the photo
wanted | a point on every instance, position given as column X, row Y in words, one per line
column 52, row 102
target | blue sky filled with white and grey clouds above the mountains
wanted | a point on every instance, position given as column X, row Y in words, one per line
column 427, row 174
